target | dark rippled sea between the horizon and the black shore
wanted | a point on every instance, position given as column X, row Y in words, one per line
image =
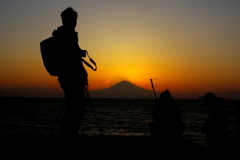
column 116, row 117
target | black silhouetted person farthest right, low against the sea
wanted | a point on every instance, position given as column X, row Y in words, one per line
column 216, row 126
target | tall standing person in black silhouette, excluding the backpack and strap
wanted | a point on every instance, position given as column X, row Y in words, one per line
column 73, row 77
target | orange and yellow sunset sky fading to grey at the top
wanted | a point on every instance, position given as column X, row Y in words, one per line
column 187, row 46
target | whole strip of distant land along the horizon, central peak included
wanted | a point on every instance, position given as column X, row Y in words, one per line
column 121, row 90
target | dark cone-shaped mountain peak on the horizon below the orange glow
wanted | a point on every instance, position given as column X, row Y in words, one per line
column 124, row 90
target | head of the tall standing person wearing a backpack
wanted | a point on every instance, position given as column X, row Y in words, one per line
column 69, row 17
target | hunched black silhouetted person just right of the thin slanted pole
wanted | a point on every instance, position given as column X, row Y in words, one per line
column 167, row 122
